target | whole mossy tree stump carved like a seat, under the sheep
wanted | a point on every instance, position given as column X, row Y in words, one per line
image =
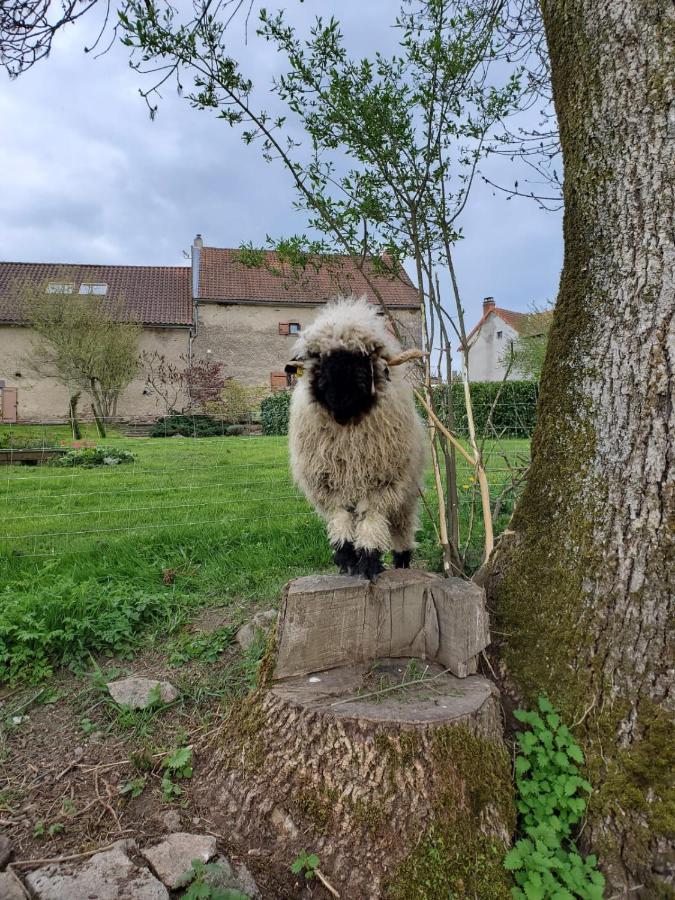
column 389, row 767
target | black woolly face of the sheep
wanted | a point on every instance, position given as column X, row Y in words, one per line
column 345, row 384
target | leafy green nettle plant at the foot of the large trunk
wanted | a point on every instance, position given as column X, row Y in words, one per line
column 552, row 798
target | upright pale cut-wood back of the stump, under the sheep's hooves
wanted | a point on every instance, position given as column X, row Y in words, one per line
column 335, row 620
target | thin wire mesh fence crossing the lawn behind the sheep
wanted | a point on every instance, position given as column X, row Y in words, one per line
column 63, row 497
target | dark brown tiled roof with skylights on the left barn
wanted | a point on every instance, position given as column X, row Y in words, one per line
column 155, row 295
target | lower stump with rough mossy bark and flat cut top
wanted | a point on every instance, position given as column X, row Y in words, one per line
column 402, row 794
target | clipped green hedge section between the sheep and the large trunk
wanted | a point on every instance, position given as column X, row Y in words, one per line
column 514, row 414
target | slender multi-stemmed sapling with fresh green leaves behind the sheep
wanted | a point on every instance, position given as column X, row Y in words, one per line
column 382, row 152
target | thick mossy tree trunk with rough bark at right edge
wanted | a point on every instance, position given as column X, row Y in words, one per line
column 585, row 584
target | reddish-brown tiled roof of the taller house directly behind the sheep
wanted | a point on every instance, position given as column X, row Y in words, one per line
column 224, row 277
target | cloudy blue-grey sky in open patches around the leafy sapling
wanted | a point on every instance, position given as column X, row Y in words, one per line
column 87, row 177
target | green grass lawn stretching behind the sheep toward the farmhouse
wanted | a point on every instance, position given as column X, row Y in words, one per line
column 100, row 560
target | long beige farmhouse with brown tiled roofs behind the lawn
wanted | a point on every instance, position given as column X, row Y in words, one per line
column 216, row 308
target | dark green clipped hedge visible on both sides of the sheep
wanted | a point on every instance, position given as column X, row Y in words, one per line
column 514, row 414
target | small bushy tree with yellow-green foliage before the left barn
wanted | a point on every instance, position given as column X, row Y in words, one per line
column 84, row 344
